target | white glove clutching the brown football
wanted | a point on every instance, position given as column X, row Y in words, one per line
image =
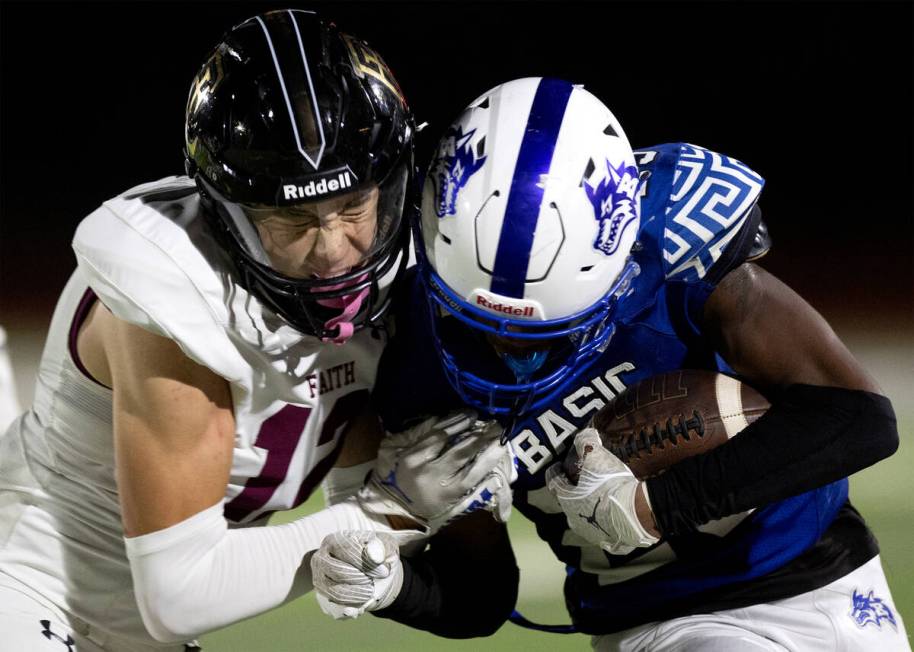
column 600, row 508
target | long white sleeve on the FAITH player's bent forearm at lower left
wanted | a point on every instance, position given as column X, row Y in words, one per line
column 198, row 575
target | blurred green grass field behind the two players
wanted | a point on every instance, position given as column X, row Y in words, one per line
column 882, row 493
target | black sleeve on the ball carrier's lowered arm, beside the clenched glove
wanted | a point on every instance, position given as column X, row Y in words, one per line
column 455, row 591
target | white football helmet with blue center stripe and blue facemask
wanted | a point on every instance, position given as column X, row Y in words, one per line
column 529, row 211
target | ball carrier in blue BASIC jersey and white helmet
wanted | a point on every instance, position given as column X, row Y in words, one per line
column 556, row 267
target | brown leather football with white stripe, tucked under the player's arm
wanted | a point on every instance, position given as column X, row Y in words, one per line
column 672, row 416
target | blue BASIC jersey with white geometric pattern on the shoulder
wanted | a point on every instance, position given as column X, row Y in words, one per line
column 698, row 222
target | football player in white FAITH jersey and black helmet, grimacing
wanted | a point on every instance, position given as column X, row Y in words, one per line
column 212, row 357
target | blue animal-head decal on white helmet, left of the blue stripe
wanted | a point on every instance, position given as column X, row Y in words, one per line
column 455, row 163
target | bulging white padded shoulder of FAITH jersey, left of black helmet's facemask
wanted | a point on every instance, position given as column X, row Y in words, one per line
column 150, row 259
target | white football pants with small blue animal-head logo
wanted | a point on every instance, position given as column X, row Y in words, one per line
column 829, row 619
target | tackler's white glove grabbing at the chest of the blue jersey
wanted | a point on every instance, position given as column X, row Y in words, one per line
column 440, row 469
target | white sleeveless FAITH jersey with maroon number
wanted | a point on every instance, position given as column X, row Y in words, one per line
column 150, row 258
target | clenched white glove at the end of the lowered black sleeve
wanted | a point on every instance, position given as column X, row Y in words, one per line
column 354, row 572
